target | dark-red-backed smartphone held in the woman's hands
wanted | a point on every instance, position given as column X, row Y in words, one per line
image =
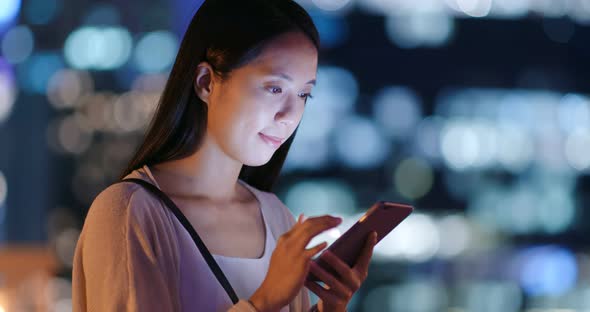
column 382, row 217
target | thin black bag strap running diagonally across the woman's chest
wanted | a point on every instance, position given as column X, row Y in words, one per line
column 202, row 248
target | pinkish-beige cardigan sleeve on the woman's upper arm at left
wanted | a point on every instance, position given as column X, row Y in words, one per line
column 122, row 262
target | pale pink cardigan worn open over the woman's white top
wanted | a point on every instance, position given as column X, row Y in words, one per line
column 134, row 255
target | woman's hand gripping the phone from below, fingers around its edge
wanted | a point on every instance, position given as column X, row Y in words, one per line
column 338, row 291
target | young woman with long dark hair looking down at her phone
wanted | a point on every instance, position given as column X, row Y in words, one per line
column 215, row 146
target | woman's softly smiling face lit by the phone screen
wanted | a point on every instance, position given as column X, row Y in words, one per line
column 259, row 106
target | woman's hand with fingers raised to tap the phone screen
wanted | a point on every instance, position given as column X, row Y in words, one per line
column 290, row 263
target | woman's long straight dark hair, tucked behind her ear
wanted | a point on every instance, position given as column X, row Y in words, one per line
column 227, row 34
